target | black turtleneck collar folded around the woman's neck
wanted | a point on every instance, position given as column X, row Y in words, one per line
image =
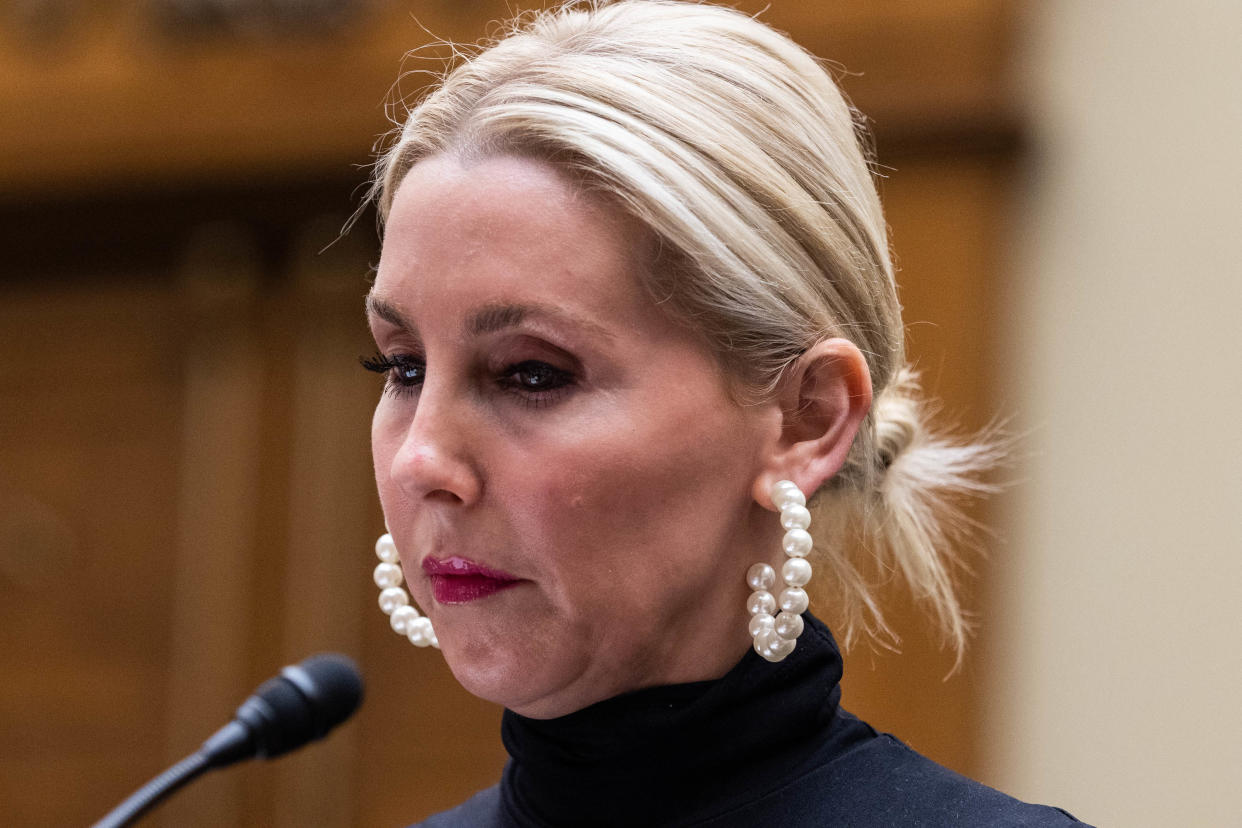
column 706, row 747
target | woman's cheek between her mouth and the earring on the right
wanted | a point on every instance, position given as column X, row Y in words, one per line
column 623, row 512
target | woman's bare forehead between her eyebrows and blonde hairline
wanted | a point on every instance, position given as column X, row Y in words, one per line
column 509, row 230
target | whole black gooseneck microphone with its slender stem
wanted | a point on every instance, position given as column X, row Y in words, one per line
column 300, row 706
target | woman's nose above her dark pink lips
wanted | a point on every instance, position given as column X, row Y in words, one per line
column 434, row 461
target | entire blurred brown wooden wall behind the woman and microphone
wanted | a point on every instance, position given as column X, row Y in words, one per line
column 186, row 495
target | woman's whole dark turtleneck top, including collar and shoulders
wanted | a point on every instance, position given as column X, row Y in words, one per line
column 766, row 745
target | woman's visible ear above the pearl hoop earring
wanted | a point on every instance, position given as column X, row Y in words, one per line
column 824, row 398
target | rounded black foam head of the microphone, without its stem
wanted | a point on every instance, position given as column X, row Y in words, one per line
column 302, row 704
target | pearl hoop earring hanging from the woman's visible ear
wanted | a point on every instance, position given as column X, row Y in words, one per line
column 777, row 634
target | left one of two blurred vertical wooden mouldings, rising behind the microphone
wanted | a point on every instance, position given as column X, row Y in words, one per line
column 219, row 510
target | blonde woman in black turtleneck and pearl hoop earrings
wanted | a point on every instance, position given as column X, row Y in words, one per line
column 635, row 308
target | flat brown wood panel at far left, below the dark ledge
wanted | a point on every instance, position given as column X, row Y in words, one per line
column 89, row 419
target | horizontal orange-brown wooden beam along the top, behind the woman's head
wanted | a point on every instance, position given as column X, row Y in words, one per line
column 112, row 100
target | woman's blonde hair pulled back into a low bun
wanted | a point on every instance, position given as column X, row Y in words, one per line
column 737, row 150
